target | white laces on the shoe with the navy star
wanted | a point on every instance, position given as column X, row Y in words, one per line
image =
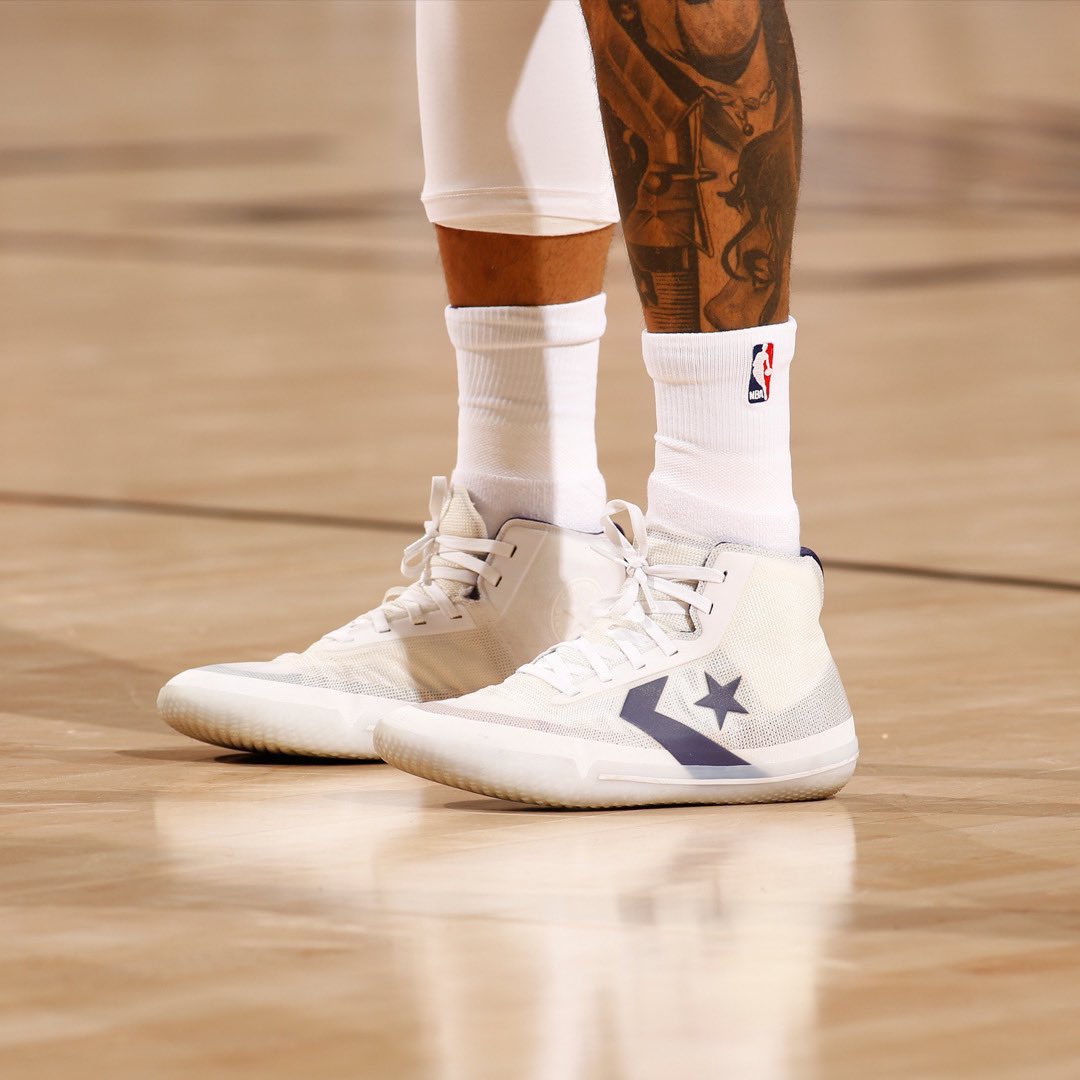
column 649, row 590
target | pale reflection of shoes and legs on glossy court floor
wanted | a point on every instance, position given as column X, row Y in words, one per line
column 678, row 942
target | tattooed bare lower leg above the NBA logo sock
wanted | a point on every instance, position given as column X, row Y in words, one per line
column 701, row 111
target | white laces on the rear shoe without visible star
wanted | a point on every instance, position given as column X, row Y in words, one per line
column 463, row 560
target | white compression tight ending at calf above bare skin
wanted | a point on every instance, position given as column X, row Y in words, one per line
column 510, row 119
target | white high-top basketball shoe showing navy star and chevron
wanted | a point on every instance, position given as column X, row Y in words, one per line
column 708, row 680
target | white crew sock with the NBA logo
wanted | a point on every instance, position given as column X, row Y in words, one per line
column 724, row 465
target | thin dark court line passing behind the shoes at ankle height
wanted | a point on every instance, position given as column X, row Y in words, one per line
column 56, row 501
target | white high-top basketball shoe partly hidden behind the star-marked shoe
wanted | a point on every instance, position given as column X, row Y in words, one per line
column 478, row 610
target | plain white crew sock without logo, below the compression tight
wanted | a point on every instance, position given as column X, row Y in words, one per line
column 528, row 412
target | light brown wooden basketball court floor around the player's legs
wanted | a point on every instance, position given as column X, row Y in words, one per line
column 226, row 386
